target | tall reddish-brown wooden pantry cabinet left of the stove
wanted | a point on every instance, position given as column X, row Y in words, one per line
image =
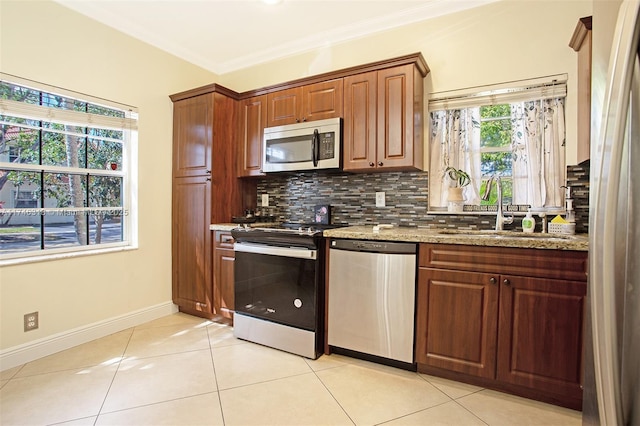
column 204, row 190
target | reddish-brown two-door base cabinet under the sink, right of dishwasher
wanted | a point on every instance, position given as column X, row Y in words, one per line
column 501, row 330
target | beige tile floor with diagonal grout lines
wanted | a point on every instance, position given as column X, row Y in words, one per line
column 183, row 370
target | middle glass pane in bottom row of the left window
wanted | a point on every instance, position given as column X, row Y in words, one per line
column 64, row 229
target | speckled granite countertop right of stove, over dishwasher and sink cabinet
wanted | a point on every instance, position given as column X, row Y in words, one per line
column 578, row 242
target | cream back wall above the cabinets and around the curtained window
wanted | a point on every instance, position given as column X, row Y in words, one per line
column 503, row 41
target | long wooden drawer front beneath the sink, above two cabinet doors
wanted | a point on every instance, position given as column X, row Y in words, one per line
column 559, row 264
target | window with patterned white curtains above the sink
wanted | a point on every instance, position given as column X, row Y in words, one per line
column 516, row 133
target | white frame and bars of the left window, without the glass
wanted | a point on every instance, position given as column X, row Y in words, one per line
column 127, row 171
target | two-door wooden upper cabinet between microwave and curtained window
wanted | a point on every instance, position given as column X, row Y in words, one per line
column 383, row 120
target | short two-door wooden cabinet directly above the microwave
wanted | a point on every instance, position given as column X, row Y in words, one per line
column 305, row 103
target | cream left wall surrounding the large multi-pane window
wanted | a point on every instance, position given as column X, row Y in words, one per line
column 43, row 41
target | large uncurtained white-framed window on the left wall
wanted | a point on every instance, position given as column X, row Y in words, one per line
column 66, row 171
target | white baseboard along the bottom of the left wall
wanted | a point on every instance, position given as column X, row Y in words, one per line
column 27, row 352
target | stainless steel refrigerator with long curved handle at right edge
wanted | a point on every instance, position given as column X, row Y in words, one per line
column 612, row 339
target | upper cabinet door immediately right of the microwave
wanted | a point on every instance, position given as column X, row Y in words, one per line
column 359, row 130
